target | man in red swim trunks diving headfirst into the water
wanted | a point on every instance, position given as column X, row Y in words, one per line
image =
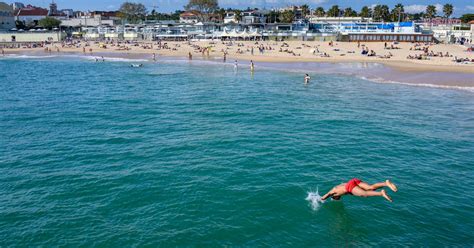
column 362, row 189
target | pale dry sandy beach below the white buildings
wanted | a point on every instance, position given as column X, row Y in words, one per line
column 395, row 55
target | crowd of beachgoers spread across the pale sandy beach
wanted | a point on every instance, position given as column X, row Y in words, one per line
column 278, row 51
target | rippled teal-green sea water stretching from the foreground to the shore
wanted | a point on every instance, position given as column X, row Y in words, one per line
column 197, row 154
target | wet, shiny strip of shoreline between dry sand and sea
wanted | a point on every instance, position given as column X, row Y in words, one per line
column 376, row 71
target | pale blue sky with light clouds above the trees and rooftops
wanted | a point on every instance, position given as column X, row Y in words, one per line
column 460, row 6
